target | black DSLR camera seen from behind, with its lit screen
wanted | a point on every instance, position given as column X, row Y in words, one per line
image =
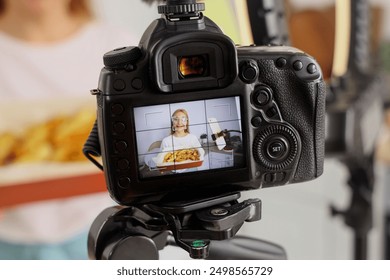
column 258, row 113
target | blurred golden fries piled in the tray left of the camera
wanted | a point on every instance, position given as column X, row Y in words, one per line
column 58, row 139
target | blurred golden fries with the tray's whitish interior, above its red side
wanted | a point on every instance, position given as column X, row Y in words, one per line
column 44, row 138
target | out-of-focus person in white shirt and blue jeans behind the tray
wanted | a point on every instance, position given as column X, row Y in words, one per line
column 51, row 49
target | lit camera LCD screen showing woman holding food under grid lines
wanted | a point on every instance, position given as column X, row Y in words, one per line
column 189, row 137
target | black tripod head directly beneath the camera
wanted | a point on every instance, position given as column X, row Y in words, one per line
column 204, row 227
